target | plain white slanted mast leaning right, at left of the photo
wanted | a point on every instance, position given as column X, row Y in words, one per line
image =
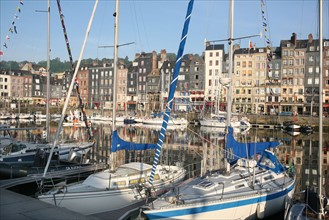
column 58, row 131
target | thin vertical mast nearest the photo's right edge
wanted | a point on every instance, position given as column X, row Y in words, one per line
column 320, row 107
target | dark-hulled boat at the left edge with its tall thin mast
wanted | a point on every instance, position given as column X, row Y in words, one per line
column 26, row 153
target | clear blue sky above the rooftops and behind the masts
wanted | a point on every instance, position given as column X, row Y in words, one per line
column 151, row 24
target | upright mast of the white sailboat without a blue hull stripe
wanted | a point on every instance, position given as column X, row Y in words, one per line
column 115, row 65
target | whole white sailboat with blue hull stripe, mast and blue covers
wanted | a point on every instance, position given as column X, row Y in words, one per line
column 246, row 189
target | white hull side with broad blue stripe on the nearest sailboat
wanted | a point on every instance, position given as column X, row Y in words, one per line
column 228, row 209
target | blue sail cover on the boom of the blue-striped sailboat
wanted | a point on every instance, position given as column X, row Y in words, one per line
column 236, row 150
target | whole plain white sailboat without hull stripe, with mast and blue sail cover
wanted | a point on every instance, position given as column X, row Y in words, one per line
column 120, row 186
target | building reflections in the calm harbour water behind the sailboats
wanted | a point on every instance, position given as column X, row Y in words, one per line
column 201, row 149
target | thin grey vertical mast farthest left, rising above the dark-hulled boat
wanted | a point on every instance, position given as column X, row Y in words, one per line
column 48, row 78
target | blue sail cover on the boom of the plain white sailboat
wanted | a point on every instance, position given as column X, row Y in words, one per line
column 119, row 144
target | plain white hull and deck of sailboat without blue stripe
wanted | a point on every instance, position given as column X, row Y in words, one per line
column 86, row 199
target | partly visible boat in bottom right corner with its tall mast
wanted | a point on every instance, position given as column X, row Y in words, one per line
column 315, row 202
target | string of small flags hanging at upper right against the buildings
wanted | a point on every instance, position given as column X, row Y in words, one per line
column 268, row 44
